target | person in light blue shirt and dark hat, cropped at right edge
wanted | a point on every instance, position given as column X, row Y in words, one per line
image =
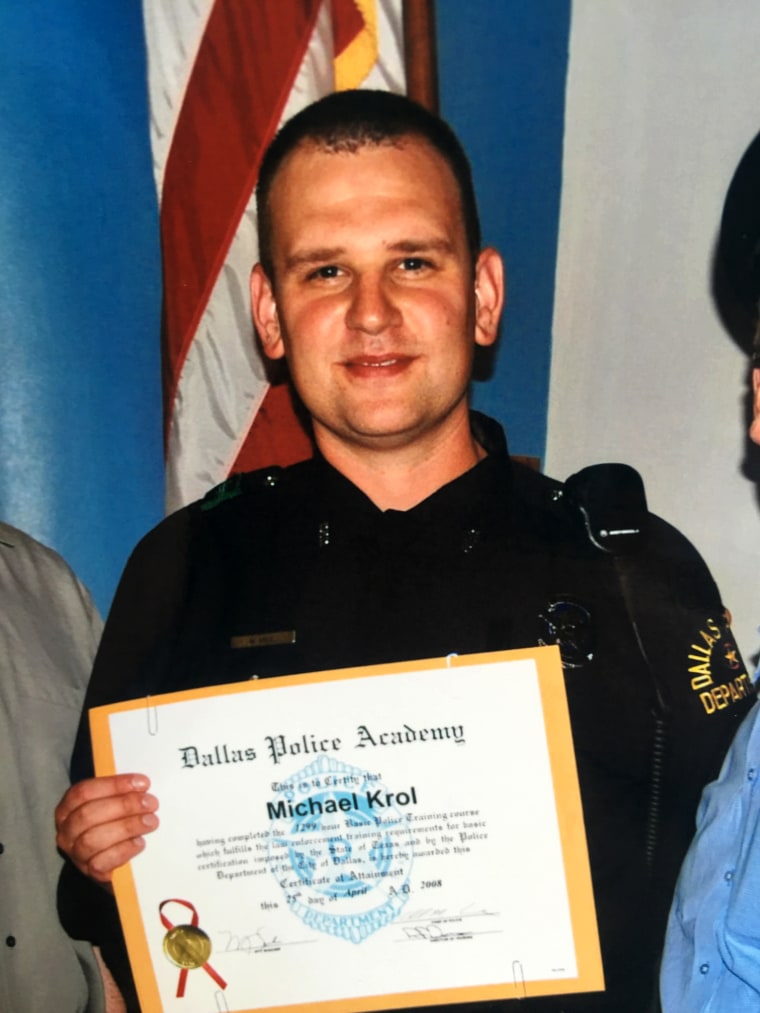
column 712, row 960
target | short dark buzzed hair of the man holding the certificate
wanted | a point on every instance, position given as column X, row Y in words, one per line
column 349, row 121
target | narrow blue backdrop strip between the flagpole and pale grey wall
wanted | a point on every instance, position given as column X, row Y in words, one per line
column 503, row 67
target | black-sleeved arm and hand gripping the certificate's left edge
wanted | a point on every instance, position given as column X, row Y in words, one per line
column 101, row 822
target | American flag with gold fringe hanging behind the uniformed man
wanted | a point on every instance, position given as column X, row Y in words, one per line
column 223, row 76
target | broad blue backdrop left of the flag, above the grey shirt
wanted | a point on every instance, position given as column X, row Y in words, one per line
column 81, row 415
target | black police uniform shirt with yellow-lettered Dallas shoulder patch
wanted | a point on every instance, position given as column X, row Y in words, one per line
column 493, row 561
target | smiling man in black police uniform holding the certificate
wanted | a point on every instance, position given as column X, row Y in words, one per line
column 411, row 536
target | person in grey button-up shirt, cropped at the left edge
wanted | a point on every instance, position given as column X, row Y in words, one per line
column 49, row 632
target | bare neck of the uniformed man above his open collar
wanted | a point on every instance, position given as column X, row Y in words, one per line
column 401, row 478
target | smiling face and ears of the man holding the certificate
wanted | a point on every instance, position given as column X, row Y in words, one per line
column 374, row 292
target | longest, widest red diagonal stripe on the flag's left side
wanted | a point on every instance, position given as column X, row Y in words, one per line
column 246, row 67
